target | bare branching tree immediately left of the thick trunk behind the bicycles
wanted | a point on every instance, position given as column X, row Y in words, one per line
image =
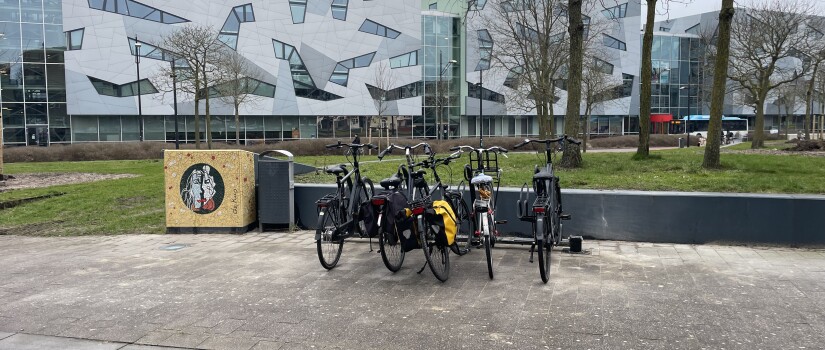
column 532, row 47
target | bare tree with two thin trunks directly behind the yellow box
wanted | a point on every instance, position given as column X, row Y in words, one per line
column 198, row 46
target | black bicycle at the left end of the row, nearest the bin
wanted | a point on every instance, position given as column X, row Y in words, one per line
column 340, row 214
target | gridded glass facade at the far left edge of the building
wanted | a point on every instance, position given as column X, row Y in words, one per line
column 32, row 77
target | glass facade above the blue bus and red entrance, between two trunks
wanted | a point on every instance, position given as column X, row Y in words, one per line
column 676, row 83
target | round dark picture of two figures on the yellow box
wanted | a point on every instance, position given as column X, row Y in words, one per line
column 202, row 188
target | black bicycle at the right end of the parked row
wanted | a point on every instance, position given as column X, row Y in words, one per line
column 546, row 212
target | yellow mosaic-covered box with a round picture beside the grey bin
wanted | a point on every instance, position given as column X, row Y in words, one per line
column 209, row 191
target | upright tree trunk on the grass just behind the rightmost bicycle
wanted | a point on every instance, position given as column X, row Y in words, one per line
column 572, row 157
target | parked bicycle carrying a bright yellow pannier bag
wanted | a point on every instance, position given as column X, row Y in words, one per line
column 421, row 206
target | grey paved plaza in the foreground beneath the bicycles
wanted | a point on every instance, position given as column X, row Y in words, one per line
column 268, row 291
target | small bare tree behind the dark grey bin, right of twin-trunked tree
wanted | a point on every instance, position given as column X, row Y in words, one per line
column 238, row 82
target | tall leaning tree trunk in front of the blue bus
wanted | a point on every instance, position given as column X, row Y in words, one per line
column 712, row 158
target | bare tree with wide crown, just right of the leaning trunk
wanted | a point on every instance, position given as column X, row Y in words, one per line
column 764, row 41
